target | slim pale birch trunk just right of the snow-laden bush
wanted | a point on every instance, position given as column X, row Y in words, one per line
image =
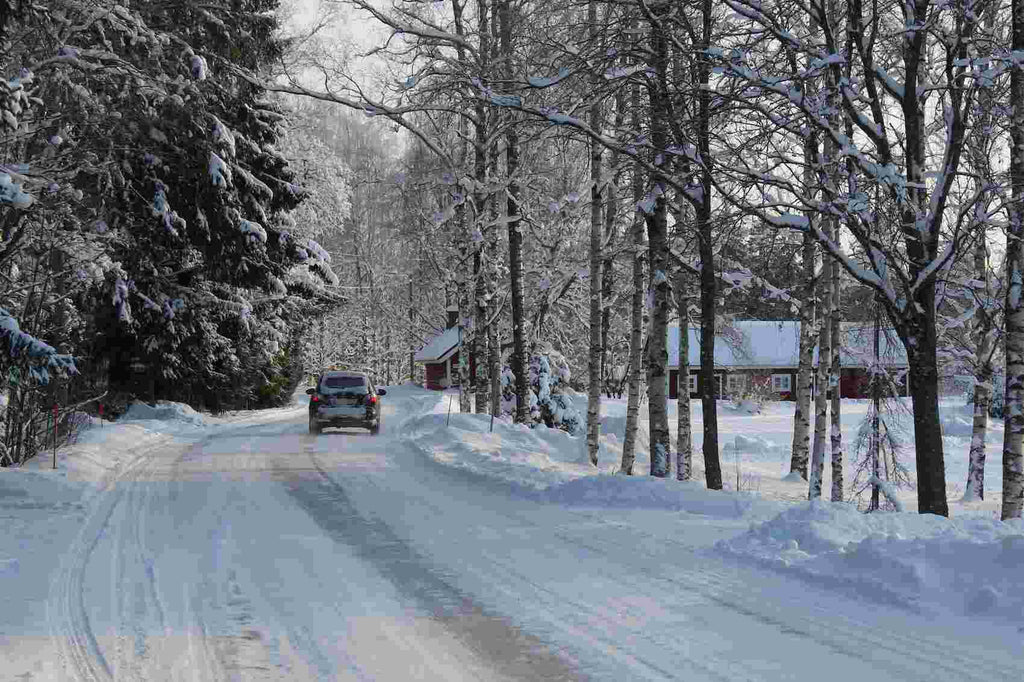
column 596, row 234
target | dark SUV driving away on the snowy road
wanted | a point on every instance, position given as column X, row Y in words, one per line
column 345, row 399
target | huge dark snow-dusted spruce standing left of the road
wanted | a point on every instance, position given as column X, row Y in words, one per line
column 201, row 235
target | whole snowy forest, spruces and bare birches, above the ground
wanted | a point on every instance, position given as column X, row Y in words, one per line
column 197, row 205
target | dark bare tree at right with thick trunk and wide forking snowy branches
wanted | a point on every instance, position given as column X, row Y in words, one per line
column 905, row 134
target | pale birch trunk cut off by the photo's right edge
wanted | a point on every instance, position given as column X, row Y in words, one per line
column 1013, row 458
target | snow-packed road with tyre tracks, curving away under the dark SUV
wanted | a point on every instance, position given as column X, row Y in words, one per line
column 261, row 552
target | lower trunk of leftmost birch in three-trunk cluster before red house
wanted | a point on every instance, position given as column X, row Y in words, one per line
column 801, row 417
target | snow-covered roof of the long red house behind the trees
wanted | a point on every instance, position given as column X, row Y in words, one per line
column 777, row 344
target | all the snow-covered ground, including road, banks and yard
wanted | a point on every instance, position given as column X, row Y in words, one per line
column 175, row 545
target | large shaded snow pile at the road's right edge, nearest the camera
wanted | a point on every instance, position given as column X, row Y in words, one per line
column 969, row 566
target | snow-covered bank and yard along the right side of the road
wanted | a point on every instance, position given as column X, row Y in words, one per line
column 968, row 565
